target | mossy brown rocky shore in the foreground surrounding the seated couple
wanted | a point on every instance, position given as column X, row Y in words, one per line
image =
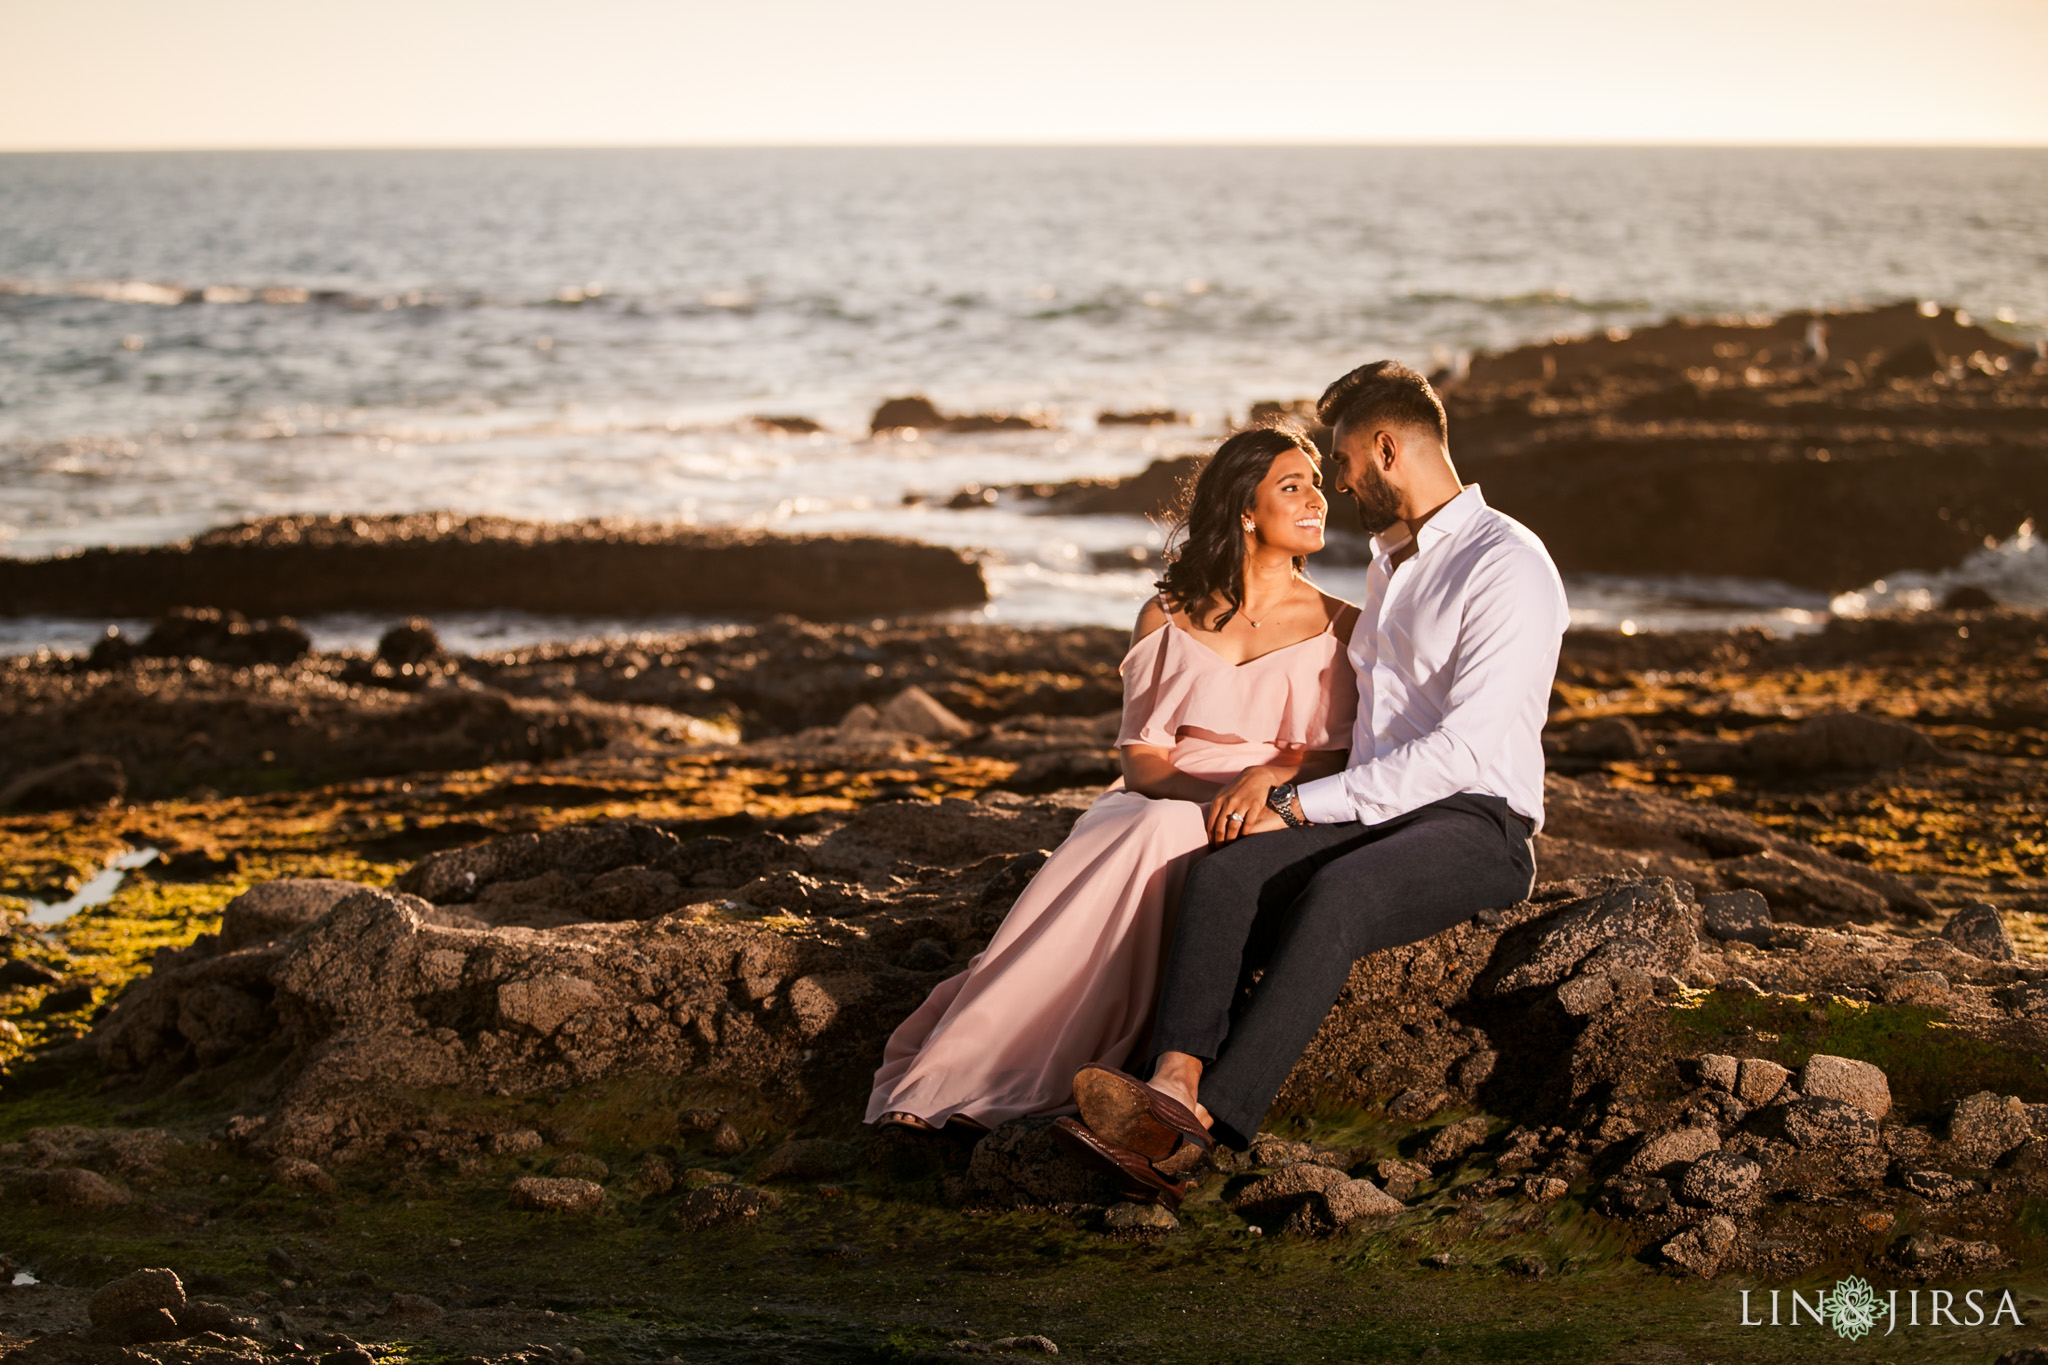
column 1775, row 1010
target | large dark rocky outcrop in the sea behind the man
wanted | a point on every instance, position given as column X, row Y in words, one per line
column 1816, row 449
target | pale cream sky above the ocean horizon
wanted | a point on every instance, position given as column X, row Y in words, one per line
column 101, row 75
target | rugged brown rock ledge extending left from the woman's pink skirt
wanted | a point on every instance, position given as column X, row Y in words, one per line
column 701, row 965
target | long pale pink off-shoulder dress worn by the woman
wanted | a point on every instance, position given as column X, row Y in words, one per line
column 1074, row 971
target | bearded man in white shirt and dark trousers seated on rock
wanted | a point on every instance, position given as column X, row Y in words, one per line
column 1433, row 822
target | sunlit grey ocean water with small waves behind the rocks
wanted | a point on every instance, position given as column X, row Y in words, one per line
column 196, row 339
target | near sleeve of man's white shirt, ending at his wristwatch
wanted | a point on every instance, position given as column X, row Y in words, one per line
column 1506, row 658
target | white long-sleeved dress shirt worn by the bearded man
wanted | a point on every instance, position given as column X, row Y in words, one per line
column 1455, row 654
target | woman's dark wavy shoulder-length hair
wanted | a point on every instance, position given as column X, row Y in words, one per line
column 1209, row 527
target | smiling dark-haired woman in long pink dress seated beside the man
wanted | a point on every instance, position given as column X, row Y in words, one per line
column 1218, row 713
